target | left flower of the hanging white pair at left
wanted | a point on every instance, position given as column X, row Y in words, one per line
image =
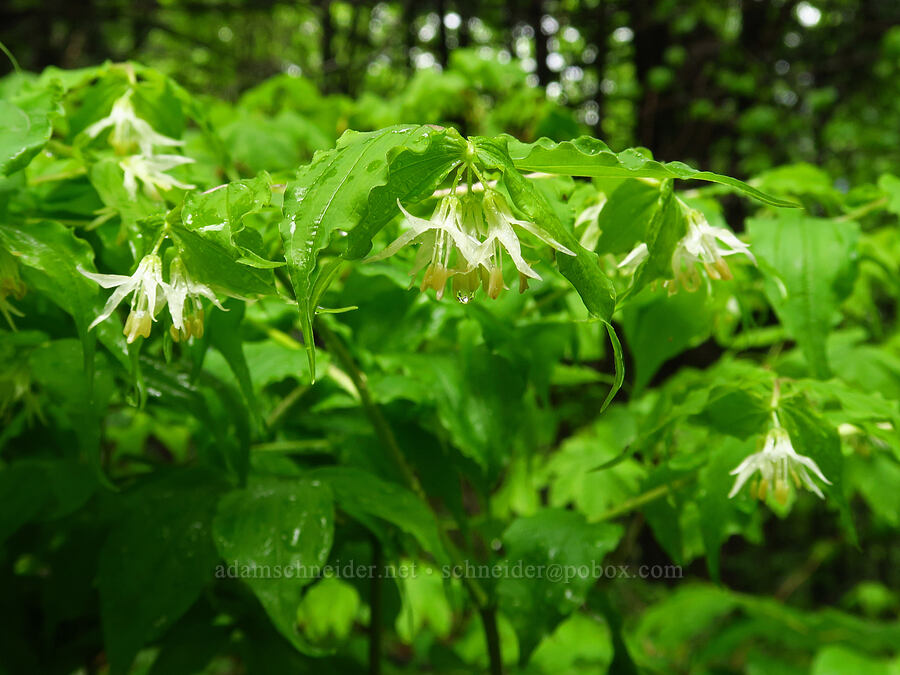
column 147, row 287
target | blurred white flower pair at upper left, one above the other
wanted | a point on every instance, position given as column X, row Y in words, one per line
column 133, row 137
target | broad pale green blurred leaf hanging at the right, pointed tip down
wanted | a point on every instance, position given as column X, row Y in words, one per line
column 810, row 265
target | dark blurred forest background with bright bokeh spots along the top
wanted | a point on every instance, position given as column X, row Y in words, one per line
column 733, row 86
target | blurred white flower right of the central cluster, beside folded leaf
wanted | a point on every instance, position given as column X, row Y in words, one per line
column 701, row 244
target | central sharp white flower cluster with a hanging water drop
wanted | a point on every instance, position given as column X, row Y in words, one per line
column 465, row 240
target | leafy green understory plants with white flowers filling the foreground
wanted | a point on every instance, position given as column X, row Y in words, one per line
column 433, row 403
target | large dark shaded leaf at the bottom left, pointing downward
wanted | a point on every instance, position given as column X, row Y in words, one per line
column 156, row 561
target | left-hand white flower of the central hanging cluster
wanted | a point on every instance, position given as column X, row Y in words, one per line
column 445, row 248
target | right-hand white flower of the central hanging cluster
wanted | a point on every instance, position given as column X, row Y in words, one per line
column 499, row 235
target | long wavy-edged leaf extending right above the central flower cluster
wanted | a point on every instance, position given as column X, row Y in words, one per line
column 587, row 156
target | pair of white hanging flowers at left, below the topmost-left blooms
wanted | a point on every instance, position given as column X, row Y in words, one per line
column 149, row 294
